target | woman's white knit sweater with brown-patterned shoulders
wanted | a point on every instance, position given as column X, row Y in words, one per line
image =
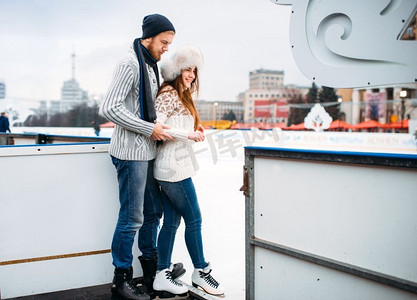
column 175, row 159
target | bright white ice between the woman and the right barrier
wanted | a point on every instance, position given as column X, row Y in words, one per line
column 223, row 208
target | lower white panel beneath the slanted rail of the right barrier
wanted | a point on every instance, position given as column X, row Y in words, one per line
column 282, row 277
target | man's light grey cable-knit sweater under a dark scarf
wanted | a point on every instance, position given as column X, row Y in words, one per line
column 131, row 136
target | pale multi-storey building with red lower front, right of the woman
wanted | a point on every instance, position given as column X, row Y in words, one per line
column 267, row 96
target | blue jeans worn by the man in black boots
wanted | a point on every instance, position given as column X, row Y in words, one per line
column 138, row 196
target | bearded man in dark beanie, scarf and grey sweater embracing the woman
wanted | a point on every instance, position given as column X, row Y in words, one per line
column 129, row 104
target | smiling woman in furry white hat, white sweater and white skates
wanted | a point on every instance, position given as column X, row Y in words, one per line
column 173, row 170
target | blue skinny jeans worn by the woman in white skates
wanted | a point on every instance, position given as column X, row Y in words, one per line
column 180, row 200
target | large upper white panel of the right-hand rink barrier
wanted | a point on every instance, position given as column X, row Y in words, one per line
column 361, row 215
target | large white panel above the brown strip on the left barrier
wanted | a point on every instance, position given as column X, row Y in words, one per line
column 57, row 199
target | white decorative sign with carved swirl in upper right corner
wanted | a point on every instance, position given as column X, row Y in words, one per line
column 354, row 43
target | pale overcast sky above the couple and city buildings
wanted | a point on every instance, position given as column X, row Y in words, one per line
column 235, row 36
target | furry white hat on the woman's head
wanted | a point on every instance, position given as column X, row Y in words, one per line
column 183, row 58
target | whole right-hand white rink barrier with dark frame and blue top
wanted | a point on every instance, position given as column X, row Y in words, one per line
column 330, row 224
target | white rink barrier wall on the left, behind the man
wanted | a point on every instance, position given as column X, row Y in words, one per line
column 60, row 200
